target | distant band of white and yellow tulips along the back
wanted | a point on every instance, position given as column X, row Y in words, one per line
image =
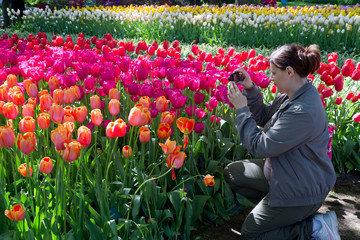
column 240, row 25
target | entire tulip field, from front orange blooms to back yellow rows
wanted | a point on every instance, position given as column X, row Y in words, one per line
column 106, row 138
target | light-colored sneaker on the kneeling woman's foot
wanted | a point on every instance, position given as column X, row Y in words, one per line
column 329, row 227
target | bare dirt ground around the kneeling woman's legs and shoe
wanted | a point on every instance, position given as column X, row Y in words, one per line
column 344, row 200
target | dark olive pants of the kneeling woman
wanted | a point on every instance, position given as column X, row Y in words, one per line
column 247, row 178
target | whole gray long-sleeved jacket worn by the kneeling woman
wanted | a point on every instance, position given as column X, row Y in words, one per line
column 295, row 137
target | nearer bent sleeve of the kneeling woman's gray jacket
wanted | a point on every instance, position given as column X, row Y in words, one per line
column 291, row 129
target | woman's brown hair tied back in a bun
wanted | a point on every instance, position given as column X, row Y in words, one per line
column 304, row 61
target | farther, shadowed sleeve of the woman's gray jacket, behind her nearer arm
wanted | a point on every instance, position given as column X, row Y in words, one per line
column 261, row 112
